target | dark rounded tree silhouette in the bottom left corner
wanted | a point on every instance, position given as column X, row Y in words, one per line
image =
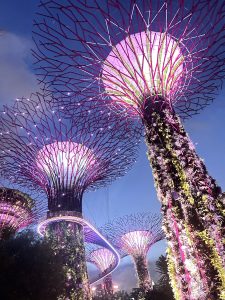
column 29, row 269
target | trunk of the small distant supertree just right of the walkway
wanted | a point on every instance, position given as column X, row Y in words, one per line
column 144, row 279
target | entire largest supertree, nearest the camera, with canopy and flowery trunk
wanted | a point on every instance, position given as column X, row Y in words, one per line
column 154, row 60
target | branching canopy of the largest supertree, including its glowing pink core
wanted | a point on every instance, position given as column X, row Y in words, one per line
column 103, row 48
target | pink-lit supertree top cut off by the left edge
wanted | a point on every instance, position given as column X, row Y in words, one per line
column 17, row 211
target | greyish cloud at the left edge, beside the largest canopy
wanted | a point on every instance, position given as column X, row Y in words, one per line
column 16, row 77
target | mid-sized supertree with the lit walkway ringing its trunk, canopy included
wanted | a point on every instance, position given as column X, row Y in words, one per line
column 63, row 157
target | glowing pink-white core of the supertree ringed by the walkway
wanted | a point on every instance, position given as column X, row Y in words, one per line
column 68, row 161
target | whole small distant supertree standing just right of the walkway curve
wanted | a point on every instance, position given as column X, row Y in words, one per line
column 134, row 235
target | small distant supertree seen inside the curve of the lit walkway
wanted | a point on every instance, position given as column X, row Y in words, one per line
column 103, row 259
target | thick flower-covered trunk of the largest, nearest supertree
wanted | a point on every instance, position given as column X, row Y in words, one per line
column 194, row 216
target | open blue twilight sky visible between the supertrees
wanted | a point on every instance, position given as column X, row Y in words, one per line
column 134, row 192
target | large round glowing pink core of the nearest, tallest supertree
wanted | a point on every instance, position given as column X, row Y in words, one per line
column 143, row 64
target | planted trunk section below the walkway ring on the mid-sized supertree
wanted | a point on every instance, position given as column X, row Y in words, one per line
column 67, row 239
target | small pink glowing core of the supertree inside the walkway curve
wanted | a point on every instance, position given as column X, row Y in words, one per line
column 103, row 258
